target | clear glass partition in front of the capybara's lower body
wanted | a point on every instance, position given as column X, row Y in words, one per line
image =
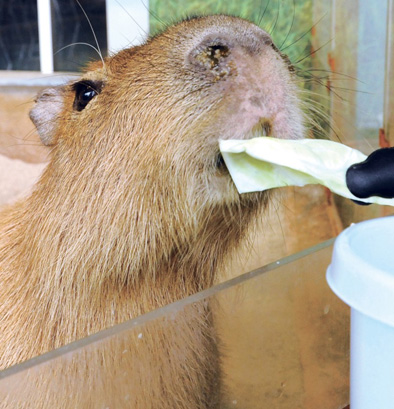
column 280, row 334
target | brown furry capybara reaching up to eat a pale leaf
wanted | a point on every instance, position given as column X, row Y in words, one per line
column 136, row 209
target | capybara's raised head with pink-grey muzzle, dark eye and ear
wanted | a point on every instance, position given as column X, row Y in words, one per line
column 135, row 163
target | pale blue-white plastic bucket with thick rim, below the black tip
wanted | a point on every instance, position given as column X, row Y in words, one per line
column 362, row 275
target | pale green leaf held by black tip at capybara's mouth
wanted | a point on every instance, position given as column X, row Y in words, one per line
column 264, row 163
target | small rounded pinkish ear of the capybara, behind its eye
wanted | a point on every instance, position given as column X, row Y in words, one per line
column 46, row 111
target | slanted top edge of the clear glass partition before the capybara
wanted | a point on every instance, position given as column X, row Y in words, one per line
column 160, row 312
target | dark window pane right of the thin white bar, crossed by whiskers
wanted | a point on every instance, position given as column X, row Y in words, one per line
column 71, row 29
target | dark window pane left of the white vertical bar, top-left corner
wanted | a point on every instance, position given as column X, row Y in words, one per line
column 19, row 48
